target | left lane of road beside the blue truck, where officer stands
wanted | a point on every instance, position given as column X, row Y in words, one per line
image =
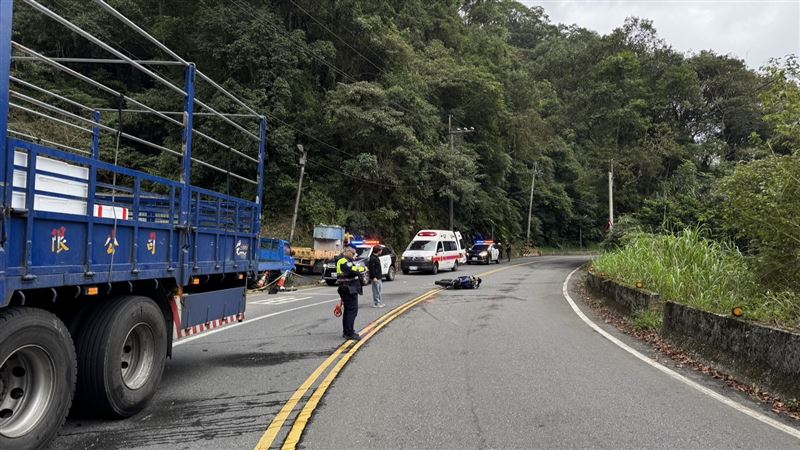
column 222, row 390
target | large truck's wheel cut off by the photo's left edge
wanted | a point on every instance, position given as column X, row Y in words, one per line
column 37, row 377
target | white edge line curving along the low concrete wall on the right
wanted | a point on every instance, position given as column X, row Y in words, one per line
column 675, row 375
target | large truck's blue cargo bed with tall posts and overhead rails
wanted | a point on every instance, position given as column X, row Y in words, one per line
column 73, row 219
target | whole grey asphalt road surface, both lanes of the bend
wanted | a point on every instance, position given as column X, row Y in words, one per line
column 507, row 366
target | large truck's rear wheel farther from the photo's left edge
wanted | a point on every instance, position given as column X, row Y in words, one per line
column 121, row 354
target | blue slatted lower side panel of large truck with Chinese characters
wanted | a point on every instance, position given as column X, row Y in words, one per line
column 49, row 249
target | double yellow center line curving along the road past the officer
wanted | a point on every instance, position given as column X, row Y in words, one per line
column 348, row 349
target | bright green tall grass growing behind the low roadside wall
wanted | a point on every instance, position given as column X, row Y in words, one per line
column 700, row 272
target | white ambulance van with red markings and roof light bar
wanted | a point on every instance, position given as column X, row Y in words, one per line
column 432, row 251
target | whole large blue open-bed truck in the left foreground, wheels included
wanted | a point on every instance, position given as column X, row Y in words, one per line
column 103, row 267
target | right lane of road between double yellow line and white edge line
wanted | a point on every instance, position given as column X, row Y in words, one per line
column 512, row 366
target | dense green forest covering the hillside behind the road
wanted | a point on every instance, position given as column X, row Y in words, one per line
column 367, row 87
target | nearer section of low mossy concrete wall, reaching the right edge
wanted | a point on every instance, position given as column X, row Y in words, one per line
column 757, row 353
